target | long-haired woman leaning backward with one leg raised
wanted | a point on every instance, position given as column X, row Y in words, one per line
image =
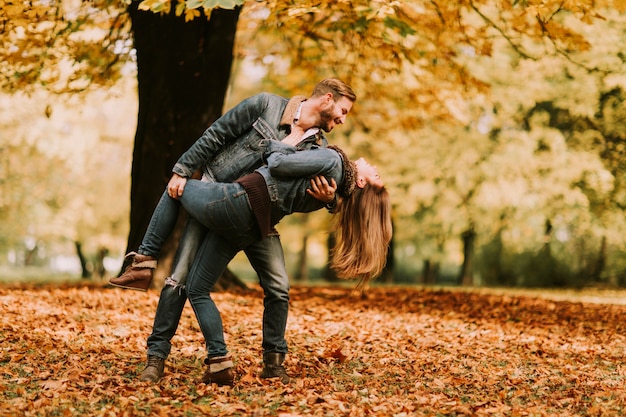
column 245, row 211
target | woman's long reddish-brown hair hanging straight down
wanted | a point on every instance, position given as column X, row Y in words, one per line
column 363, row 234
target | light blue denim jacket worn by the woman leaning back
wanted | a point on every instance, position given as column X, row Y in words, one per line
column 288, row 173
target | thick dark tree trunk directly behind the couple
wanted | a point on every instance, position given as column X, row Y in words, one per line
column 183, row 70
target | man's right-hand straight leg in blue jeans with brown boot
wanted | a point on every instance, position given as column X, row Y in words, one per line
column 268, row 260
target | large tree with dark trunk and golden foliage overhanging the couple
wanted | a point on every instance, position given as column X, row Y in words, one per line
column 415, row 64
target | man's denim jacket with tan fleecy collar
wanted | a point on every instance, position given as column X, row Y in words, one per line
column 231, row 146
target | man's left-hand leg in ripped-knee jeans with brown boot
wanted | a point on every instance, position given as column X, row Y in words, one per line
column 172, row 302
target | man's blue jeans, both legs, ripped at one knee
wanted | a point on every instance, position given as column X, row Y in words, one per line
column 267, row 259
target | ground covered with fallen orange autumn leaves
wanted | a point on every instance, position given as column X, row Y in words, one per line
column 397, row 352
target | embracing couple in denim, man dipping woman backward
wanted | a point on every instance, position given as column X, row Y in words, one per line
column 229, row 216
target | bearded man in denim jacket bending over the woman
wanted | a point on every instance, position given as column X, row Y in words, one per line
column 227, row 150
